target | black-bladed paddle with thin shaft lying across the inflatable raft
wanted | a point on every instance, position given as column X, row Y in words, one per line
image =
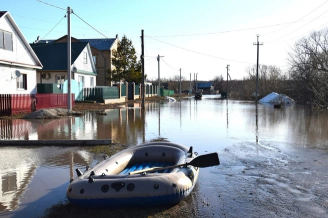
column 206, row 160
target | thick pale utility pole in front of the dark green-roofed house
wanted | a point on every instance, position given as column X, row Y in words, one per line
column 69, row 74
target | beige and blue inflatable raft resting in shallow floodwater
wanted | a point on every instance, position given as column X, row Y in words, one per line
column 112, row 182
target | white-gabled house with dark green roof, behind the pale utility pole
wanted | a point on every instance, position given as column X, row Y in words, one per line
column 54, row 59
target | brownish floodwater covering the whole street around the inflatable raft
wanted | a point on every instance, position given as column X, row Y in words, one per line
column 274, row 162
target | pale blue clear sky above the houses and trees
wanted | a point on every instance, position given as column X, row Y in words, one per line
column 198, row 37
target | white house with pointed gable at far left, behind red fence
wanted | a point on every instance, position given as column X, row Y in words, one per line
column 18, row 62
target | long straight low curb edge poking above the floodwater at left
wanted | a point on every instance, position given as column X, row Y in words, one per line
column 55, row 142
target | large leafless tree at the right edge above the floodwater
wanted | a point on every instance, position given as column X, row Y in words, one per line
column 309, row 68
